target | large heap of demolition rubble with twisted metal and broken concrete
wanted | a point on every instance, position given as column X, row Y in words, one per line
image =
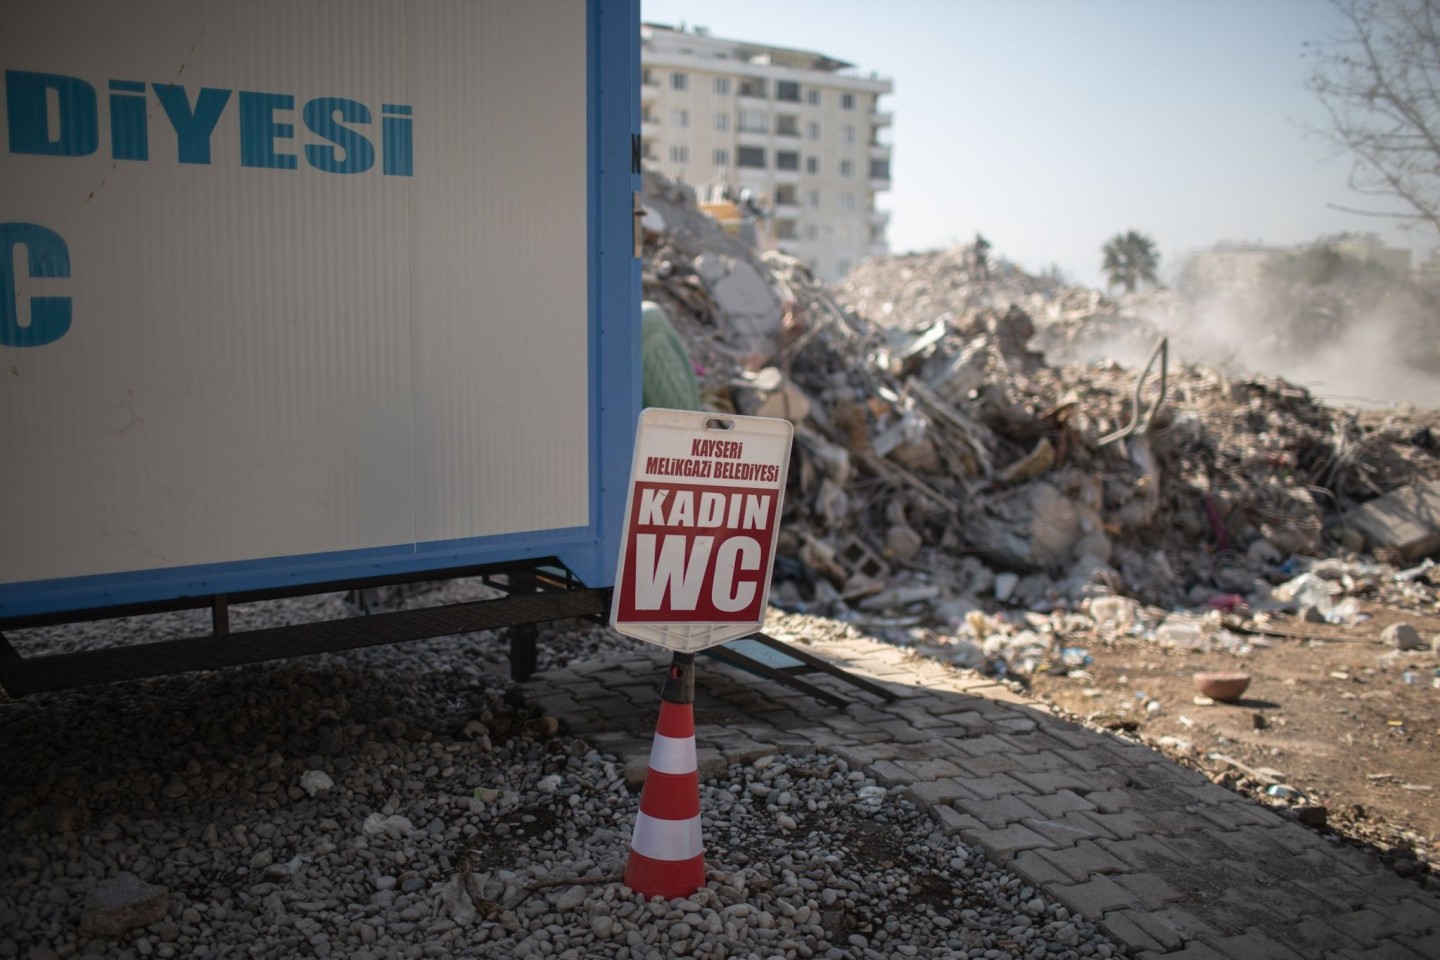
column 948, row 477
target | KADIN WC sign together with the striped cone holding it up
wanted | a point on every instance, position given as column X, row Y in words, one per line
column 702, row 516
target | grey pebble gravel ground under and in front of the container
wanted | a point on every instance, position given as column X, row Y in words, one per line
column 398, row 802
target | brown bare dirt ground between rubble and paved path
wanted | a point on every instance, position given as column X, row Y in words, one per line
column 1336, row 725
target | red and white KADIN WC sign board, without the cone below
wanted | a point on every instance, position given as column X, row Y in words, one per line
column 701, row 525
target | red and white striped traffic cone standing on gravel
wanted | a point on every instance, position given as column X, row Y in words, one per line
column 667, row 859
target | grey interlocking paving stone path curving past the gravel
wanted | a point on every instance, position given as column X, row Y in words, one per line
column 1156, row 854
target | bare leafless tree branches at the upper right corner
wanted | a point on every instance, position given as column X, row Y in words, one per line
column 1380, row 84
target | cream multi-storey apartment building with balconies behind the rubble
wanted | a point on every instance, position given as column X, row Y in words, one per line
column 803, row 132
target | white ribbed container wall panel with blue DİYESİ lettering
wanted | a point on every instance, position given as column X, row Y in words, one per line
column 290, row 280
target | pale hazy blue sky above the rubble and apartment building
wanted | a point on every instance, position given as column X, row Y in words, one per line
column 1053, row 124
